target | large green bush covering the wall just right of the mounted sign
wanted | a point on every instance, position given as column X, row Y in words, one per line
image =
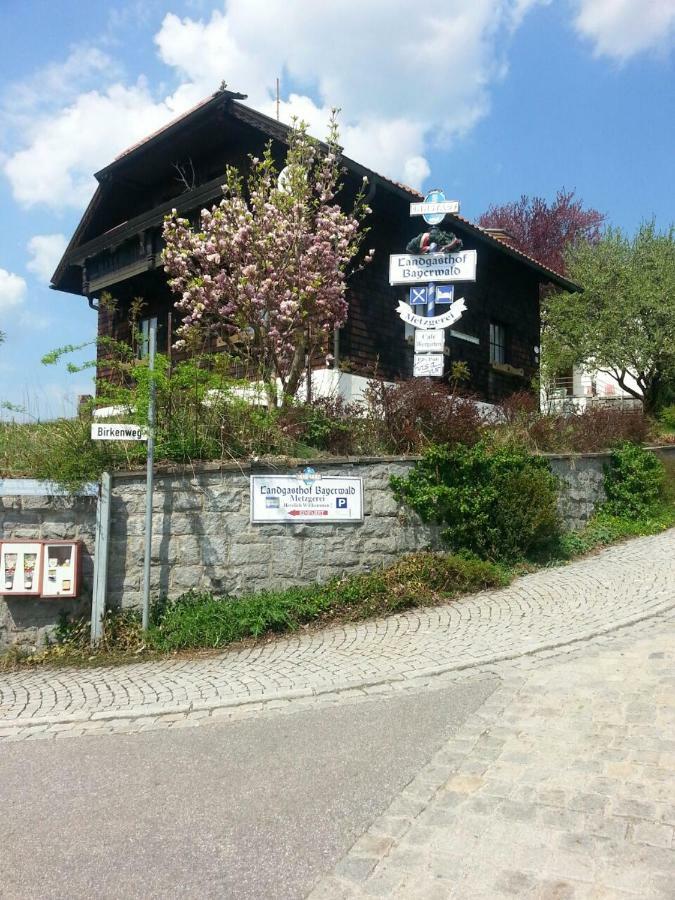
column 497, row 502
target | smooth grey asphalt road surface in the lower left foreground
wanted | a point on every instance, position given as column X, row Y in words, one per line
column 258, row 808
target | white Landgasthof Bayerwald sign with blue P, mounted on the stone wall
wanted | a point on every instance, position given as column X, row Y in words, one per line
column 306, row 497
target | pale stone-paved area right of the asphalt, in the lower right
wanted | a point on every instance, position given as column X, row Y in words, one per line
column 560, row 786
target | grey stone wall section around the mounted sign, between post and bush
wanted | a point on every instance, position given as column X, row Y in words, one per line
column 203, row 536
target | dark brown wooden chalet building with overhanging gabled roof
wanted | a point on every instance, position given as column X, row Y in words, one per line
column 117, row 248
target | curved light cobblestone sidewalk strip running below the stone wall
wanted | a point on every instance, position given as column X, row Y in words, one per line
column 551, row 608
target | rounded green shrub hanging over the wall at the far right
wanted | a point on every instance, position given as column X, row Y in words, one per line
column 634, row 481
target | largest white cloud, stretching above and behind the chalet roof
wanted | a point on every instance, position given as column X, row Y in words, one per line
column 404, row 81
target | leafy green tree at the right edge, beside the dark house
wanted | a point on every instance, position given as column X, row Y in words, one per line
column 623, row 321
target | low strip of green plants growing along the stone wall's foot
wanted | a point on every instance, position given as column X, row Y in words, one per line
column 199, row 619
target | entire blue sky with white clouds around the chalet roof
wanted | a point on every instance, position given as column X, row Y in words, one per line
column 487, row 100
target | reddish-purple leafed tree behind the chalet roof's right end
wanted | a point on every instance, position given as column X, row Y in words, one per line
column 544, row 231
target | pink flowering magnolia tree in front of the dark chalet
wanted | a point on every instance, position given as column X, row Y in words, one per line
column 266, row 269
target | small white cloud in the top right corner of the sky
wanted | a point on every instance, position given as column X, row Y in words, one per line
column 623, row 28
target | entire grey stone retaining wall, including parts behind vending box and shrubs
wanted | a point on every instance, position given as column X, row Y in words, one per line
column 203, row 539
